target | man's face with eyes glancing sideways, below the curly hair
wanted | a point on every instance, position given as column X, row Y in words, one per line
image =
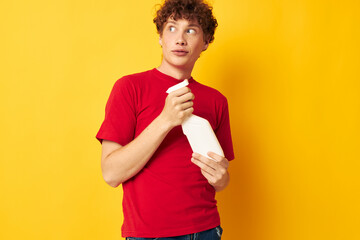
column 182, row 42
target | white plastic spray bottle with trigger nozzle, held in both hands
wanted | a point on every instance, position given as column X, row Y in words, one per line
column 198, row 131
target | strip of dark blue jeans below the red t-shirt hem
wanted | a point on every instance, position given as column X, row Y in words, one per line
column 211, row 234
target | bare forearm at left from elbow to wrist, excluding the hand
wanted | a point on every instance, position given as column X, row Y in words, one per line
column 125, row 162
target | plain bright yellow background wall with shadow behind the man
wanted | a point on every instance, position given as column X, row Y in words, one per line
column 290, row 70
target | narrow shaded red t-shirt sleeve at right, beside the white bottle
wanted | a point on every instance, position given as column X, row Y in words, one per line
column 223, row 132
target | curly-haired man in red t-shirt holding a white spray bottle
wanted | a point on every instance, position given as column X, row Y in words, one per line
column 169, row 192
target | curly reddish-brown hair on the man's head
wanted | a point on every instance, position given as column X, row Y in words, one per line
column 189, row 10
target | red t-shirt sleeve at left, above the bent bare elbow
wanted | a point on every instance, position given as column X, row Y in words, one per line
column 120, row 114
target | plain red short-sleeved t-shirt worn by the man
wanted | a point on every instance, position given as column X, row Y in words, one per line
column 169, row 196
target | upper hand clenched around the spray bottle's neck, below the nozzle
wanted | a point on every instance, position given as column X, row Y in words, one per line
column 178, row 106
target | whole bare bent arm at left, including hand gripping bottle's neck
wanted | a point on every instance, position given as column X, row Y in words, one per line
column 120, row 163
